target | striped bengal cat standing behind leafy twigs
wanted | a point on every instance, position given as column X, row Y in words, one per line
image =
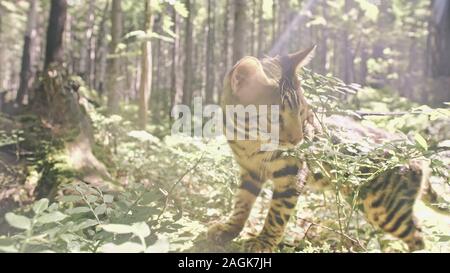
column 274, row 81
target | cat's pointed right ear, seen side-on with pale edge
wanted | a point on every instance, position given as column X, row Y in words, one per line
column 292, row 62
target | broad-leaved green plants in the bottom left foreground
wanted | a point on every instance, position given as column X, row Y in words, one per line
column 88, row 220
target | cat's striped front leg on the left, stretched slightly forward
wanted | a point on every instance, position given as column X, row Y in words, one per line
column 245, row 198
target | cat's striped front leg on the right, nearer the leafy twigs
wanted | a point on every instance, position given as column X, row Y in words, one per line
column 287, row 188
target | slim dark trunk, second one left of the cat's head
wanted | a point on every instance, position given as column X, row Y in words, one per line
column 188, row 51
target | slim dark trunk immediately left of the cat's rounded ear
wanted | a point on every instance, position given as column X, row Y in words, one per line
column 210, row 40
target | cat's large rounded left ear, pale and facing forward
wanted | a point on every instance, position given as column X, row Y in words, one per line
column 248, row 78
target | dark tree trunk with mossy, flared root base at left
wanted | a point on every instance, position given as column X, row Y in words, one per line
column 57, row 104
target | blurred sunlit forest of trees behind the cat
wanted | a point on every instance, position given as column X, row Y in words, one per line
column 400, row 46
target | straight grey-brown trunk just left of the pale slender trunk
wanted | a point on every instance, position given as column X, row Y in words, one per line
column 114, row 62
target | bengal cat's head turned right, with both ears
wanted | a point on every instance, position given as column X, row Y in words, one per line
column 273, row 81
